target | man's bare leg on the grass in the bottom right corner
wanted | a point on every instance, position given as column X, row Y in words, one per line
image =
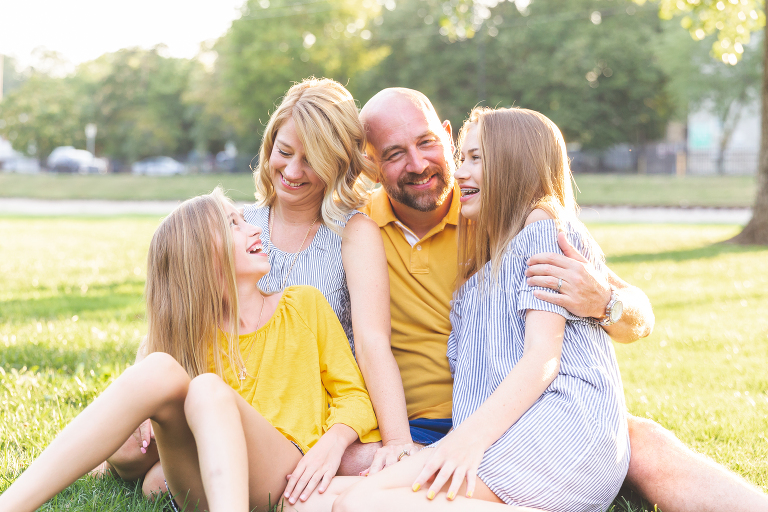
column 672, row 476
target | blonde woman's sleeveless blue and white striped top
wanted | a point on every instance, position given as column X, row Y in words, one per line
column 318, row 265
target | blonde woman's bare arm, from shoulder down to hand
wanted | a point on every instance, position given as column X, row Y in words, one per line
column 365, row 264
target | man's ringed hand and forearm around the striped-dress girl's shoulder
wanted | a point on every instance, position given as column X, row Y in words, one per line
column 584, row 292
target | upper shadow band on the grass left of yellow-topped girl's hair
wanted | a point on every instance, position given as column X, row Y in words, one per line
column 100, row 298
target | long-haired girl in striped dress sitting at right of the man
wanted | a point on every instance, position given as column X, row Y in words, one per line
column 538, row 407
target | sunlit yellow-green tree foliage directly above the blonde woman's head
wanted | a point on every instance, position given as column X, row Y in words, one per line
column 277, row 43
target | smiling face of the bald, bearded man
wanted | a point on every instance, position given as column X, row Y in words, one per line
column 412, row 151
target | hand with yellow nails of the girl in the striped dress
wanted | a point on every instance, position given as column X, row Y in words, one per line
column 458, row 454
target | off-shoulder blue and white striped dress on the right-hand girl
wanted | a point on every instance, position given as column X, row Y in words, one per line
column 570, row 450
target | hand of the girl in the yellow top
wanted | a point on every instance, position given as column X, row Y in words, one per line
column 320, row 464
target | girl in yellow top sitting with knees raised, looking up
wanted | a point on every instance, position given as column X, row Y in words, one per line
column 298, row 402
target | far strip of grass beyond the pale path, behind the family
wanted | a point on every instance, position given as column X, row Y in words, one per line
column 596, row 189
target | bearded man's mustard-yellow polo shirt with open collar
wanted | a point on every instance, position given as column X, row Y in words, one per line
column 421, row 281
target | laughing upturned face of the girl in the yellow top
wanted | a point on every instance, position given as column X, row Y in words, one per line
column 250, row 258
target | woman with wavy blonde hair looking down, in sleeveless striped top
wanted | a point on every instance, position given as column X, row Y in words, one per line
column 311, row 177
